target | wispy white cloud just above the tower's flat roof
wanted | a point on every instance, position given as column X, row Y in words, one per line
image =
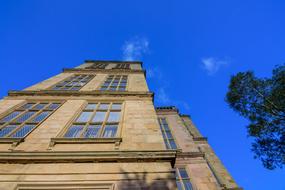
column 134, row 48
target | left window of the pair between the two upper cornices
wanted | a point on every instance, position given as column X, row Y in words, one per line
column 75, row 82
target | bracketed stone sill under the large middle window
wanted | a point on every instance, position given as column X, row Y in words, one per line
column 62, row 140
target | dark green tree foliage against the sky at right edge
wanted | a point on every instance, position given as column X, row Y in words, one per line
column 262, row 102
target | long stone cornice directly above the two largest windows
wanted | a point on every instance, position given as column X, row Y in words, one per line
column 78, row 93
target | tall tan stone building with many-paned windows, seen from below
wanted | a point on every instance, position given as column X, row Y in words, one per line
column 95, row 127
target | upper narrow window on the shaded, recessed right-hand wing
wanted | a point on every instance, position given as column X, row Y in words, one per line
column 166, row 133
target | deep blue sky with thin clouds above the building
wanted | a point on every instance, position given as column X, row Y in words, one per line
column 189, row 48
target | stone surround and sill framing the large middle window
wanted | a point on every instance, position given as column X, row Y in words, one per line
column 60, row 139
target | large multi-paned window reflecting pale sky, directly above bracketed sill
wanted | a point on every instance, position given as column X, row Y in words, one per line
column 97, row 120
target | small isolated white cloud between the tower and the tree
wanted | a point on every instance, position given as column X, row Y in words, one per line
column 212, row 65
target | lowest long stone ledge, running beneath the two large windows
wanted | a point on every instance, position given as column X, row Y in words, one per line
column 88, row 156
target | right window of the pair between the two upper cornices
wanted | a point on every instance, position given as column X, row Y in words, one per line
column 115, row 83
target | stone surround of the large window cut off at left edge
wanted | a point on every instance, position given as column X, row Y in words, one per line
column 16, row 141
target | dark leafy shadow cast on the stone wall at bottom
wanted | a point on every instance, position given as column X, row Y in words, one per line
column 139, row 181
